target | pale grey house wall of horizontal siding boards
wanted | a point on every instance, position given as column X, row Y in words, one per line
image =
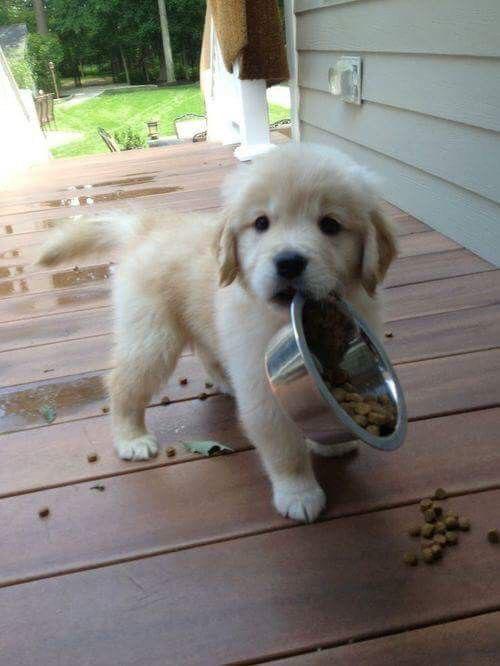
column 430, row 119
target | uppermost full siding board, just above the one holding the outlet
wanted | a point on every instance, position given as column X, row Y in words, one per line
column 453, row 27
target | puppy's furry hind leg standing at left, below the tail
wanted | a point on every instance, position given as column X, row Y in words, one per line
column 147, row 351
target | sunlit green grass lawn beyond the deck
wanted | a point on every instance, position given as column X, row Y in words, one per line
column 120, row 109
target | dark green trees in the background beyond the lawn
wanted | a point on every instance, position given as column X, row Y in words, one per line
column 122, row 37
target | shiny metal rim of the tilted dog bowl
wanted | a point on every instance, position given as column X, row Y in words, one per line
column 387, row 442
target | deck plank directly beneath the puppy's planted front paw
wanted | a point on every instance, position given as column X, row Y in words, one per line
column 181, row 506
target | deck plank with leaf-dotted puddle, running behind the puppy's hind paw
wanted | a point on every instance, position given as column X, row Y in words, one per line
column 433, row 387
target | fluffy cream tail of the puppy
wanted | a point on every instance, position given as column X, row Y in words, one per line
column 82, row 237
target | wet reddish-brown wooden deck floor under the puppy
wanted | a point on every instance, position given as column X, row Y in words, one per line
column 183, row 560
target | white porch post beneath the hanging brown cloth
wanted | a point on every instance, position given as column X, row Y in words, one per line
column 236, row 110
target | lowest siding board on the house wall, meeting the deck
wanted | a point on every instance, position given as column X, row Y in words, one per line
column 468, row 218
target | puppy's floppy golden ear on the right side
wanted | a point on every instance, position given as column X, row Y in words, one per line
column 379, row 251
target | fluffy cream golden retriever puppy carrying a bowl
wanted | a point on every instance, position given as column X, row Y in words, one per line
column 298, row 218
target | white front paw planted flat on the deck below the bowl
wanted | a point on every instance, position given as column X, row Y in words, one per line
column 300, row 503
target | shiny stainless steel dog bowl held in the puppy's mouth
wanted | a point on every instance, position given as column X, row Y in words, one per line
column 303, row 395
